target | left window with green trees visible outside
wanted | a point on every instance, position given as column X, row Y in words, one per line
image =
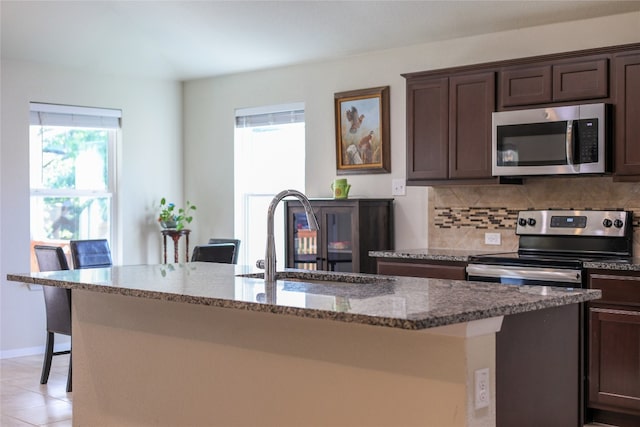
column 72, row 152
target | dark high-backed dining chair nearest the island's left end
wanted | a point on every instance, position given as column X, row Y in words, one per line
column 57, row 303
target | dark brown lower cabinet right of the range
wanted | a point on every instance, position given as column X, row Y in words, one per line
column 613, row 374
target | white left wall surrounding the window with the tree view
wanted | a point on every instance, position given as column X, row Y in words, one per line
column 150, row 166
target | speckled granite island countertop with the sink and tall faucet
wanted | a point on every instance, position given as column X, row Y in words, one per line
column 398, row 302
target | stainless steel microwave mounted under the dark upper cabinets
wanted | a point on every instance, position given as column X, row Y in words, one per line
column 550, row 141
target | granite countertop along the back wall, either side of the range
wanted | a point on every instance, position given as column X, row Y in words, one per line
column 632, row 264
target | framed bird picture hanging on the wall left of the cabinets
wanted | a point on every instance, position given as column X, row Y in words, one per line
column 362, row 131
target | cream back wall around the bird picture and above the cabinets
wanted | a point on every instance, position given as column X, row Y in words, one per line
column 209, row 108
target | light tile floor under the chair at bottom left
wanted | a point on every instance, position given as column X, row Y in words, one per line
column 26, row 402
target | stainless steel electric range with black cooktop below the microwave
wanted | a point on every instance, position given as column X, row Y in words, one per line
column 555, row 244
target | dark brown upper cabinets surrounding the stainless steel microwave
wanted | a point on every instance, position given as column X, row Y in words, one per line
column 449, row 110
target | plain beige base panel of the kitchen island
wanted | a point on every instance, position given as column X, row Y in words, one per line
column 140, row 361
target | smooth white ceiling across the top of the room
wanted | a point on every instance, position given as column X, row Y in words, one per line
column 182, row 40
